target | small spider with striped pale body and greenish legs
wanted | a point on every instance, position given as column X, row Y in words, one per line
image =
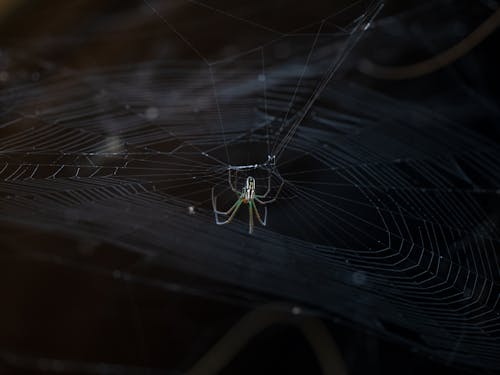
column 247, row 196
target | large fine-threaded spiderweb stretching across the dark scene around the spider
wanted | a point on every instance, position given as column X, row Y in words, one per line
column 385, row 216
